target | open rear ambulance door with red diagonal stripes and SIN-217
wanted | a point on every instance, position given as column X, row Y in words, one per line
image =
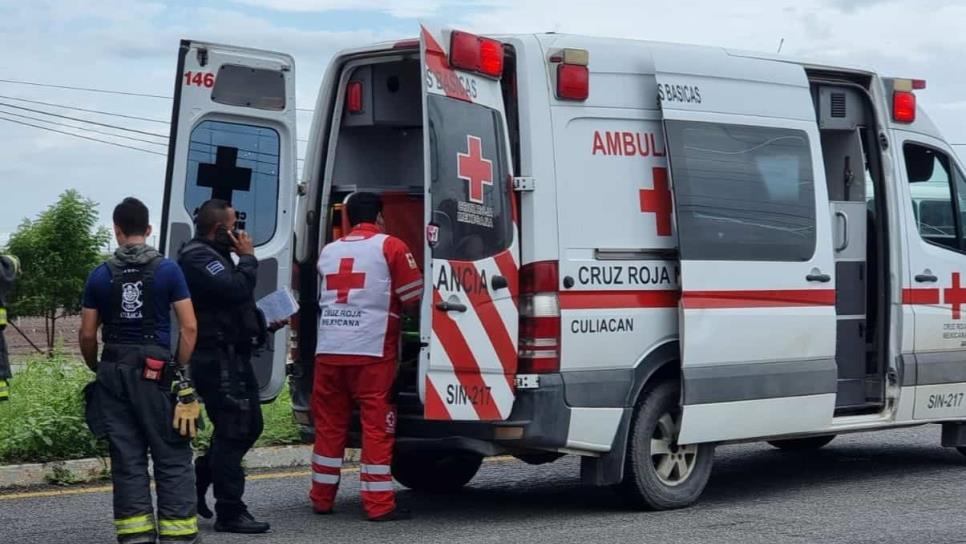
column 470, row 318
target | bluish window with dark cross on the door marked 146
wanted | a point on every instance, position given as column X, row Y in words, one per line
column 238, row 163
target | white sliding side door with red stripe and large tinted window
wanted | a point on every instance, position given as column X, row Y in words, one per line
column 757, row 311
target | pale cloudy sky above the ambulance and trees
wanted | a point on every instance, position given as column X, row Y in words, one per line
column 130, row 45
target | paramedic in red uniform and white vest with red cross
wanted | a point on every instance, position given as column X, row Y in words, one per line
column 368, row 279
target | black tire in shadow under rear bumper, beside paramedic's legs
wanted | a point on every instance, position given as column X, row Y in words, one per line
column 433, row 472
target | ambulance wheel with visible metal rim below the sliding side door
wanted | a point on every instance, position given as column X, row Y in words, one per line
column 644, row 485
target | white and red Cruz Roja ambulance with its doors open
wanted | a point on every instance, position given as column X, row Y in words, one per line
column 635, row 251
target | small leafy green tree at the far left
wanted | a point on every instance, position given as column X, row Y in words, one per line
column 57, row 251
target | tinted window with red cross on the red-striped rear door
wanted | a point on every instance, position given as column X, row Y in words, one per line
column 469, row 177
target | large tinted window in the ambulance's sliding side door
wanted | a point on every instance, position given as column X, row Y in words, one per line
column 742, row 192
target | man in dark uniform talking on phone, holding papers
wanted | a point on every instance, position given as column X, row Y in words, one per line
column 229, row 328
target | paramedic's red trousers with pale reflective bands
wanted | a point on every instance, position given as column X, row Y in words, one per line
column 337, row 388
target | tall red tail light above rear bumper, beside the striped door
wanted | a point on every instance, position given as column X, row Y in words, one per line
column 539, row 318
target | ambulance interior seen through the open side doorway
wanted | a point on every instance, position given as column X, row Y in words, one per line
column 847, row 126
